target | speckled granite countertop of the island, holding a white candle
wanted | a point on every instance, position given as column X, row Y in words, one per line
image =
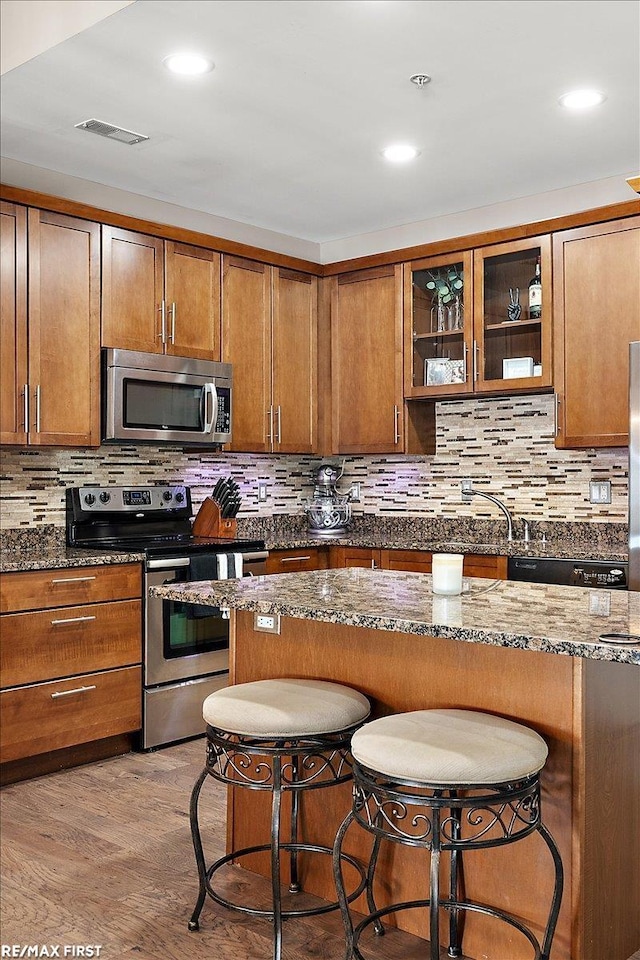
column 549, row 619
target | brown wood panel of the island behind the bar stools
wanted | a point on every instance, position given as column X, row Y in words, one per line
column 590, row 744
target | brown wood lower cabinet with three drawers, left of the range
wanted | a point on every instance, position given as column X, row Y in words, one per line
column 70, row 659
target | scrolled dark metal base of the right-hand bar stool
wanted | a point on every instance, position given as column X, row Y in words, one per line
column 449, row 819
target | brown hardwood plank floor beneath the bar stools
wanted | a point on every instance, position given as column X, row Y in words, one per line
column 102, row 855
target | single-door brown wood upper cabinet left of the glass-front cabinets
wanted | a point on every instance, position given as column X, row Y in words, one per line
column 369, row 413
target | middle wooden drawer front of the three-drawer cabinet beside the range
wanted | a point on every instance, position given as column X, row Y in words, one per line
column 69, row 640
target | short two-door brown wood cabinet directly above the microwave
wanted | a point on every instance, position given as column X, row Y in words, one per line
column 159, row 296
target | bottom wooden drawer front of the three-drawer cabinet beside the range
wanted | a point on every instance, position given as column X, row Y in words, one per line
column 50, row 716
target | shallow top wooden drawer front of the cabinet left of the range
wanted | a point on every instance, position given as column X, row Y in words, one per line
column 40, row 589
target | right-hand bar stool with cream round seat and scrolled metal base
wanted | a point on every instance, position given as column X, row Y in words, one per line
column 447, row 781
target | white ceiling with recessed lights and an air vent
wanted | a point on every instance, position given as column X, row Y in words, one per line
column 286, row 132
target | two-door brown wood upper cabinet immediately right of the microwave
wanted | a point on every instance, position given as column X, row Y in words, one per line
column 269, row 334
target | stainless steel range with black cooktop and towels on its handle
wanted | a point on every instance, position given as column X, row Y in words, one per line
column 186, row 648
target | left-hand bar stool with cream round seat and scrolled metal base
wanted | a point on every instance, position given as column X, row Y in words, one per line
column 285, row 737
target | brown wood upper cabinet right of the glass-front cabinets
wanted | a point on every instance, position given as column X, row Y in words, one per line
column 596, row 315
